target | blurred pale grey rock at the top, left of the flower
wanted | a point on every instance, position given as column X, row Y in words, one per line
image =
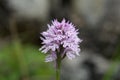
column 30, row 8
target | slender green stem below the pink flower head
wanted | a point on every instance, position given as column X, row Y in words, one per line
column 58, row 67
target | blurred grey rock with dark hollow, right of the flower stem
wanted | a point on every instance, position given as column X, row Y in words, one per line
column 89, row 66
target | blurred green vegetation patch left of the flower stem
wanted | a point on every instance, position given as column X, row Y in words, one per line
column 23, row 62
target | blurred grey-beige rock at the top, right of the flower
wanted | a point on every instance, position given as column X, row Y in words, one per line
column 92, row 10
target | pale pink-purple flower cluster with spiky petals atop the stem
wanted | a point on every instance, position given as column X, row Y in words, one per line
column 61, row 37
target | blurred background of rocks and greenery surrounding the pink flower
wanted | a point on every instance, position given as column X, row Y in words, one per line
column 22, row 21
